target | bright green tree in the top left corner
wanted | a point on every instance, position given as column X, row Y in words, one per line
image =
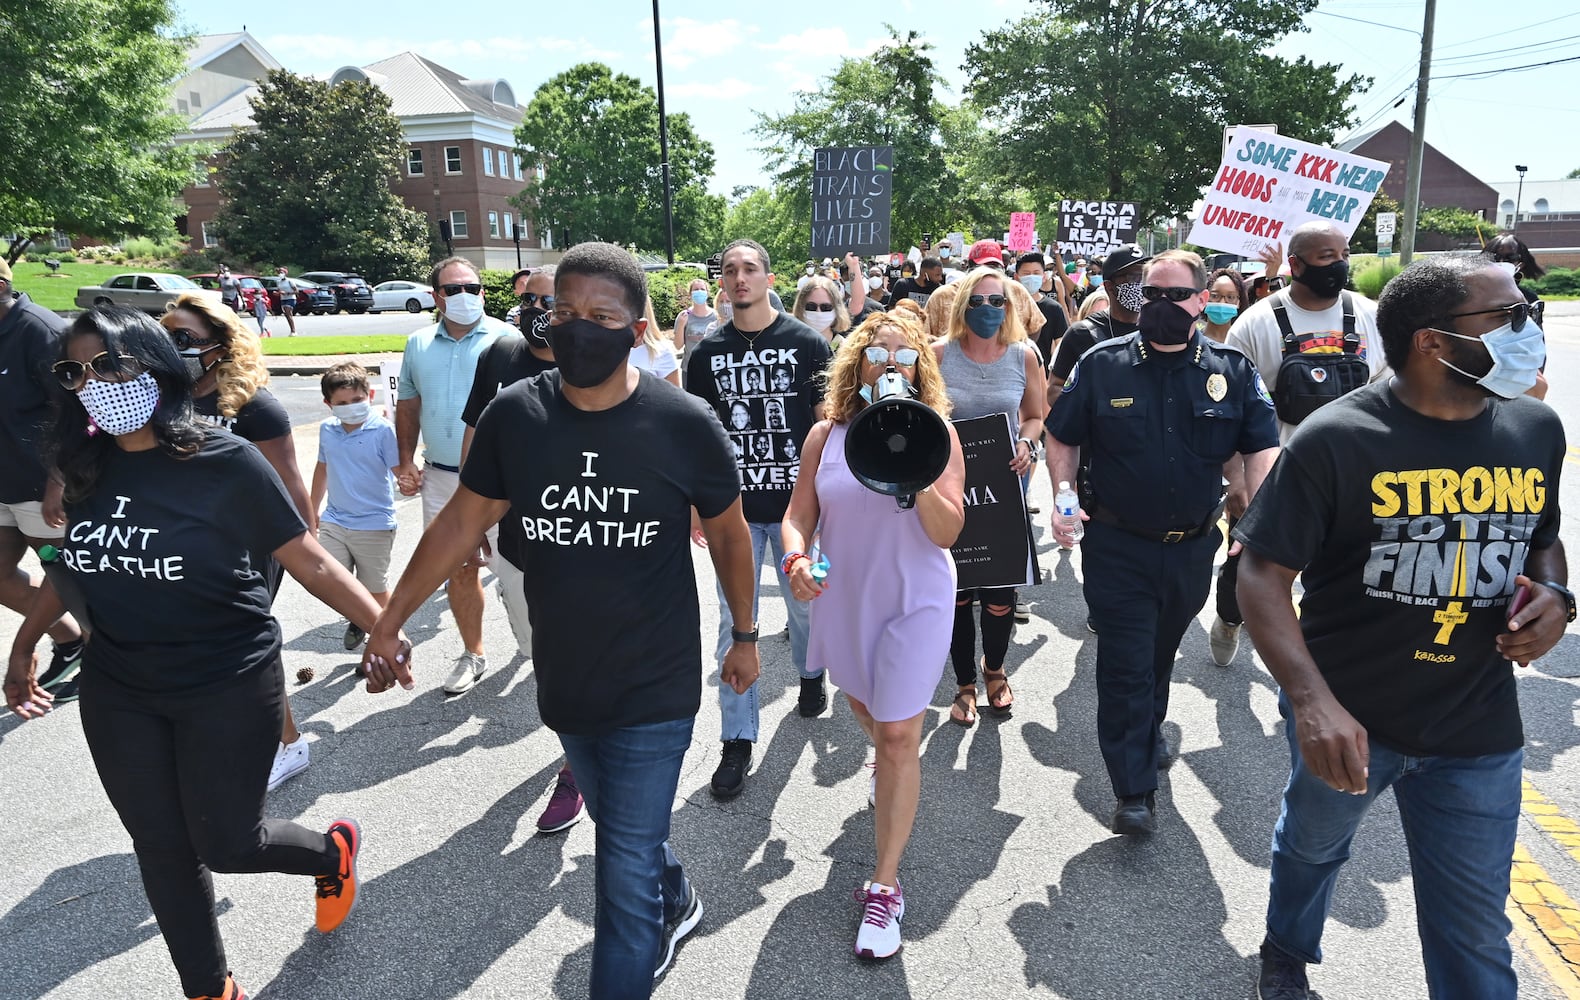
column 88, row 124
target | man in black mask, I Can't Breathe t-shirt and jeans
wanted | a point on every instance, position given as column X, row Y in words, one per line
column 603, row 465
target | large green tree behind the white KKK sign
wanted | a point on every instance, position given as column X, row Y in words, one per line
column 1127, row 99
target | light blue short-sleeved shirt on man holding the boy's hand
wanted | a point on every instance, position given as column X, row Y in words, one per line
column 440, row 369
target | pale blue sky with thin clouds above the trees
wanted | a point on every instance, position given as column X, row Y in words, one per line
column 723, row 62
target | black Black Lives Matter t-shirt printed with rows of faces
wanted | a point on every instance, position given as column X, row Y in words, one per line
column 764, row 391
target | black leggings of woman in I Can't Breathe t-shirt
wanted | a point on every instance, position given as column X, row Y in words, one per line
column 187, row 775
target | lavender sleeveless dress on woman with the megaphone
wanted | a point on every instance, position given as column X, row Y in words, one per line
column 882, row 630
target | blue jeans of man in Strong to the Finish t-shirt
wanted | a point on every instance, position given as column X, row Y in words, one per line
column 1459, row 818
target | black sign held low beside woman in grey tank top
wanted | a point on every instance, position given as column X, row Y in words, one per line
column 996, row 544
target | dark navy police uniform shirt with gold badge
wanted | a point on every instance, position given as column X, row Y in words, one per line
column 1161, row 426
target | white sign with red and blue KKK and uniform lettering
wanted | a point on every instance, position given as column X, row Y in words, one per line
column 1266, row 186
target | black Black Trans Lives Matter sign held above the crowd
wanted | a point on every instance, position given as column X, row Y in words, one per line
column 852, row 194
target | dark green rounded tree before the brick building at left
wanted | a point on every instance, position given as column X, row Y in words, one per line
column 312, row 182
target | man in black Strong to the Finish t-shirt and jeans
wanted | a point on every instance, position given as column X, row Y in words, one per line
column 1421, row 513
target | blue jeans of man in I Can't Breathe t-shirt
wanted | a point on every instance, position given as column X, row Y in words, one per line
column 628, row 780
